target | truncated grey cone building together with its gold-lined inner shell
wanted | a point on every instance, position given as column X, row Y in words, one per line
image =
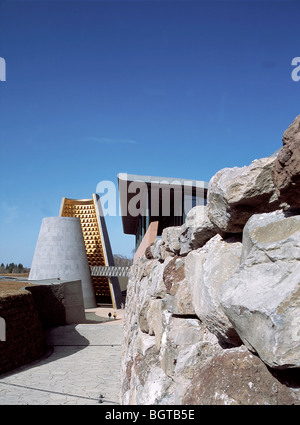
column 70, row 245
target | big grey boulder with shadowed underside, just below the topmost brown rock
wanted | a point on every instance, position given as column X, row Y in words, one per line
column 234, row 194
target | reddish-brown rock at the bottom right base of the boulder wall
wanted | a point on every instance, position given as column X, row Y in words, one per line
column 237, row 377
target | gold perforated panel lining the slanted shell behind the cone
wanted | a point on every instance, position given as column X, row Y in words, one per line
column 85, row 210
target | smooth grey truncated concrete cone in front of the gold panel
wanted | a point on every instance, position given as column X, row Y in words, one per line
column 60, row 254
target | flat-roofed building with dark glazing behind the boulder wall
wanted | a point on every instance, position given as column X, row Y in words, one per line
column 149, row 204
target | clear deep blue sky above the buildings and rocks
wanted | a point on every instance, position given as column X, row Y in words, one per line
column 166, row 88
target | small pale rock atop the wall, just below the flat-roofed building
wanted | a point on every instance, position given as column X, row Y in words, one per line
column 196, row 230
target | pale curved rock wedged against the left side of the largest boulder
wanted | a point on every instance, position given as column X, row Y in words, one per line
column 207, row 269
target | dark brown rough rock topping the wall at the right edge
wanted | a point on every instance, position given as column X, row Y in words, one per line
column 286, row 168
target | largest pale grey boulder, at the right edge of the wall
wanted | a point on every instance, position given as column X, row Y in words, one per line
column 262, row 299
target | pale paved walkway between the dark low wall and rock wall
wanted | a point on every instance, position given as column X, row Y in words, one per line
column 81, row 366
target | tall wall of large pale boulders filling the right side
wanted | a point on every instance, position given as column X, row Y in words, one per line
column 213, row 307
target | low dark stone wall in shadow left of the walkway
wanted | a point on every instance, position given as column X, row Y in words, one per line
column 24, row 315
